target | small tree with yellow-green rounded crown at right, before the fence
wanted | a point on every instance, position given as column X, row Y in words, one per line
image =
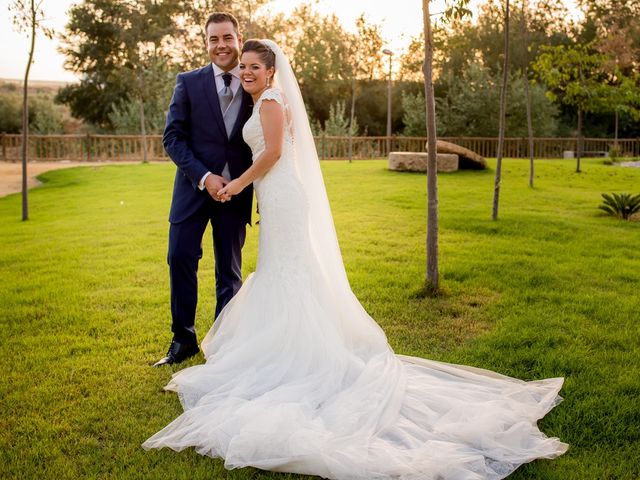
column 575, row 78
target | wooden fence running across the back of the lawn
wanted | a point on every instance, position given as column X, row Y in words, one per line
column 129, row 147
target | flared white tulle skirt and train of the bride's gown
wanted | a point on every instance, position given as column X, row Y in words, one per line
column 298, row 378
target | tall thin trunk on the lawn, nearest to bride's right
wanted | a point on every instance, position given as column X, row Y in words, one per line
column 432, row 281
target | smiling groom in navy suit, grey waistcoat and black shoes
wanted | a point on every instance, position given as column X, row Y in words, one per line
column 203, row 136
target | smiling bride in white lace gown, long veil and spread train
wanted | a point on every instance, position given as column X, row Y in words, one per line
column 298, row 378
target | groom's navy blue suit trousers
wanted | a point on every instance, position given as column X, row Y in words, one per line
column 185, row 252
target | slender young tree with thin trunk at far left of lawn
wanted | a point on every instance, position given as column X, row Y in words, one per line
column 27, row 17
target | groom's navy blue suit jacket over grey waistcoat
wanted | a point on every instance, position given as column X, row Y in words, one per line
column 196, row 140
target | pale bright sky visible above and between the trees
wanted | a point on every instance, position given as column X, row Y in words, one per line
column 399, row 23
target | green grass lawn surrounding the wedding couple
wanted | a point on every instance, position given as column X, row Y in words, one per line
column 551, row 289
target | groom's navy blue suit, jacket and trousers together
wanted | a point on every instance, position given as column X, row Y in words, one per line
column 196, row 140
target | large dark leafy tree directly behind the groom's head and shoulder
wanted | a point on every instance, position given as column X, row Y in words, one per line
column 126, row 61
